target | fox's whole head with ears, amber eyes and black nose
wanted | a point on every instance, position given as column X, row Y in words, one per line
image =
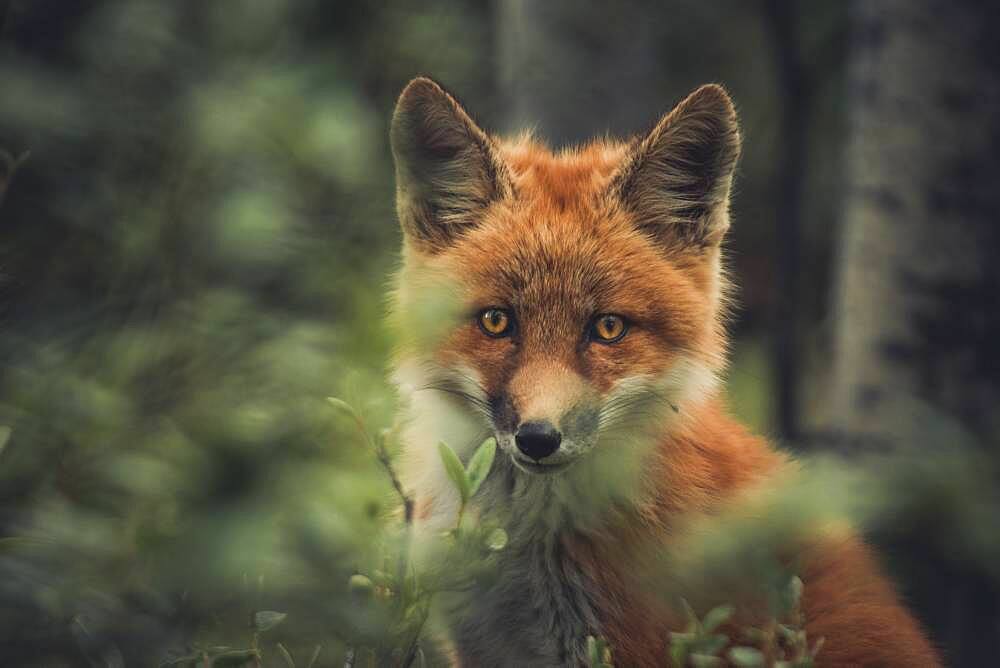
column 556, row 300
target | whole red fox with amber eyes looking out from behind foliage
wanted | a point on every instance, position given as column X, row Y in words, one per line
column 572, row 304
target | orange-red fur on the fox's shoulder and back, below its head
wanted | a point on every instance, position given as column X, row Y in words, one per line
column 846, row 600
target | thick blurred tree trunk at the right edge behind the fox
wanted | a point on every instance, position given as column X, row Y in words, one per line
column 918, row 312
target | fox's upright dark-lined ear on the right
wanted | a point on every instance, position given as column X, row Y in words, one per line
column 676, row 179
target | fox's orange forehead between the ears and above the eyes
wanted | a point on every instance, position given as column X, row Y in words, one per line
column 557, row 253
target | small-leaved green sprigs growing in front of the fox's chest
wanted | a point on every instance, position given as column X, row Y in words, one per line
column 403, row 593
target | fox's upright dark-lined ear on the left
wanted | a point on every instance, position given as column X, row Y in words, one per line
column 447, row 170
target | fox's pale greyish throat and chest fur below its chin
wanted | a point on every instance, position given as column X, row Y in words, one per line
column 547, row 596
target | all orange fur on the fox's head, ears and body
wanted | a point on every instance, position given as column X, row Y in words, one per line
column 630, row 228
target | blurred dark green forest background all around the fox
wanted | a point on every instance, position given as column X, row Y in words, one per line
column 197, row 228
